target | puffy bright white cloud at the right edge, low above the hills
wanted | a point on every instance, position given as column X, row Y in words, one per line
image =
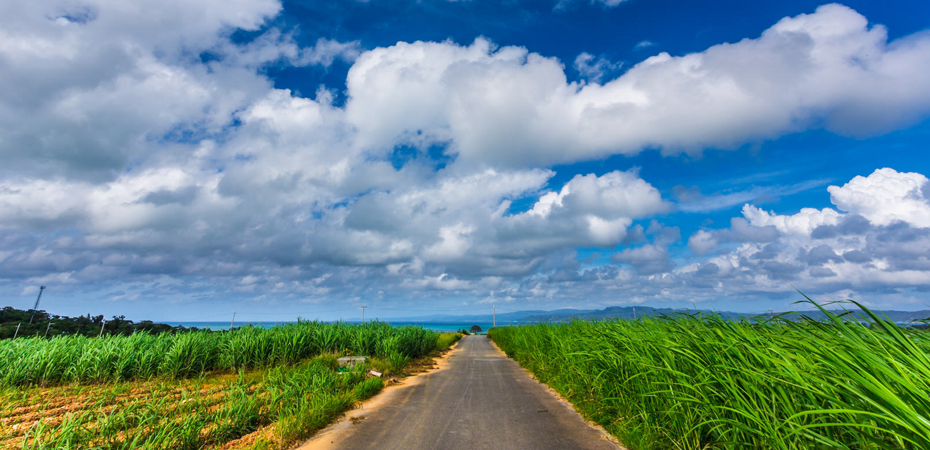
column 875, row 240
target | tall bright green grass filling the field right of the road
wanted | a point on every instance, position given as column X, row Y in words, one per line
column 704, row 382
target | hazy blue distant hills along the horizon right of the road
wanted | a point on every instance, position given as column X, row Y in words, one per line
column 633, row 312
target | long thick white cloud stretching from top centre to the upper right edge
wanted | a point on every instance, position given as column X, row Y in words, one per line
column 508, row 106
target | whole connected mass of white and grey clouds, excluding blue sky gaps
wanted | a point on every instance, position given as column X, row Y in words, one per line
column 144, row 144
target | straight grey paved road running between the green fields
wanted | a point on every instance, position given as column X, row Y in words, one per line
column 480, row 400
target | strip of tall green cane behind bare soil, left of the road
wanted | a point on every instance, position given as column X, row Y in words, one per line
column 38, row 361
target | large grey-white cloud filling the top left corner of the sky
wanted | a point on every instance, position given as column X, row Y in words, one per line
column 99, row 84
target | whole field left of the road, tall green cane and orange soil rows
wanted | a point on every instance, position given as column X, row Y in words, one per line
column 246, row 388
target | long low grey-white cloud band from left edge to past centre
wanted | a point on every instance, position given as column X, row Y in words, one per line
column 168, row 220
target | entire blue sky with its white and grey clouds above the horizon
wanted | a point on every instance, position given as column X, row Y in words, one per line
column 181, row 160
